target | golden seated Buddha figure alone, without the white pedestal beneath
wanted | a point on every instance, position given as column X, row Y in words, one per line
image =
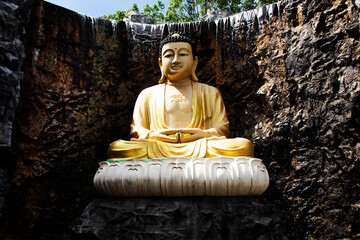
column 179, row 117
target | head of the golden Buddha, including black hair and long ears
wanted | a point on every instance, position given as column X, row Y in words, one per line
column 177, row 58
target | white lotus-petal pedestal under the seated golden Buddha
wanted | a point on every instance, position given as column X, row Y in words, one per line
column 221, row 176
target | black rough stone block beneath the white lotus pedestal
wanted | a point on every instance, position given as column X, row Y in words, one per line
column 181, row 218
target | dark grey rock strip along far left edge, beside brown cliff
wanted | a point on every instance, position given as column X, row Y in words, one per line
column 14, row 15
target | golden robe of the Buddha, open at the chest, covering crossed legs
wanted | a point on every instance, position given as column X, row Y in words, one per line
column 208, row 113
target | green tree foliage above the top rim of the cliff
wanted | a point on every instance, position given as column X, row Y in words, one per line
column 190, row 10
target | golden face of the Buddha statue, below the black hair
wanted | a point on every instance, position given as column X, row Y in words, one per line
column 177, row 61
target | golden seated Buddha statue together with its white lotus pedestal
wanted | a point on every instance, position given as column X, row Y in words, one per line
column 181, row 126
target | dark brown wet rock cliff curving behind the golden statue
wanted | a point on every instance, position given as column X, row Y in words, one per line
column 289, row 76
